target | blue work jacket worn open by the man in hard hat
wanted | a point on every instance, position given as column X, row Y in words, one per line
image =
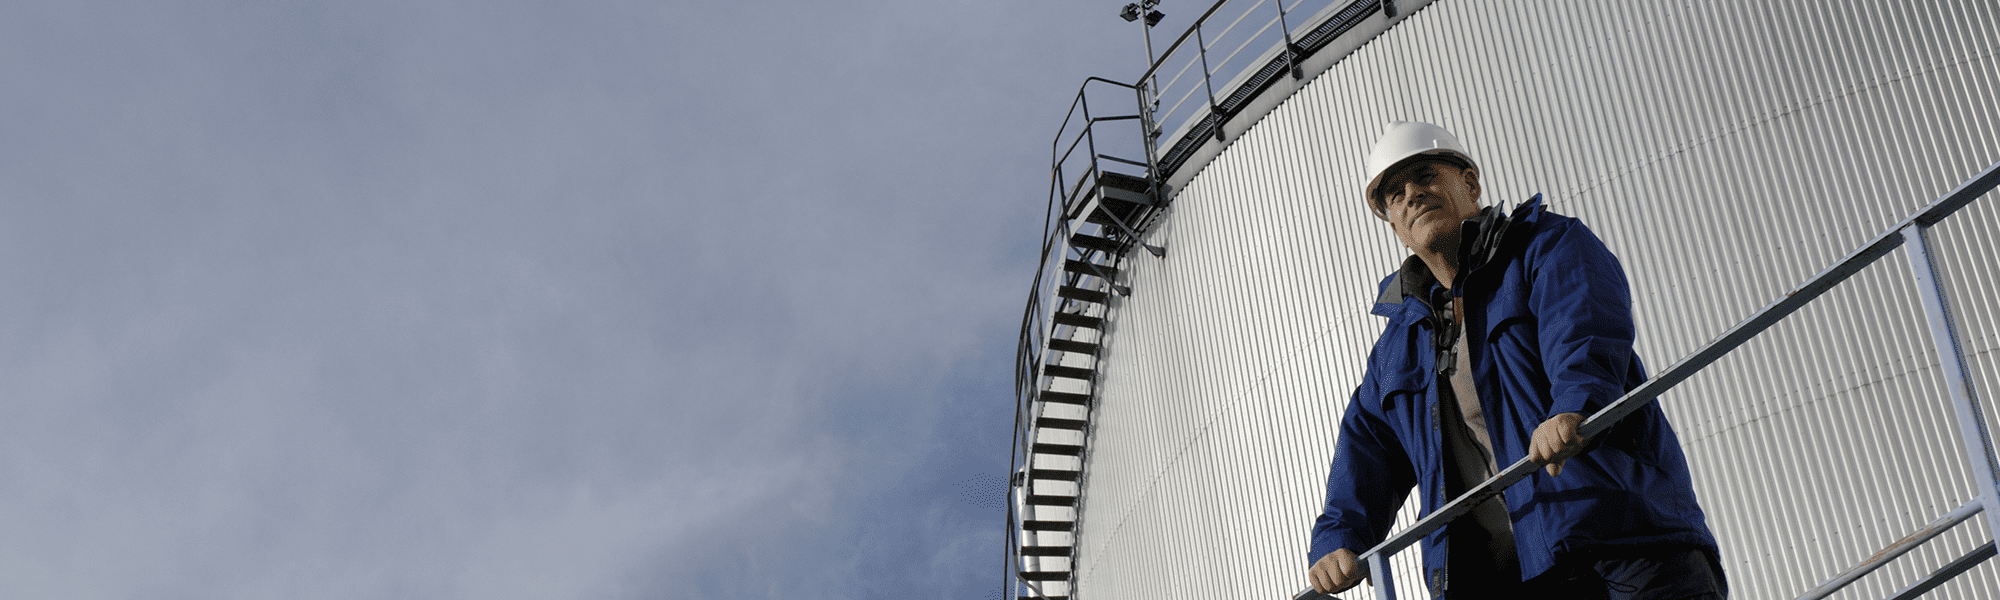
column 1549, row 323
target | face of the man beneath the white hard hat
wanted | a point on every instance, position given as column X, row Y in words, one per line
column 1427, row 199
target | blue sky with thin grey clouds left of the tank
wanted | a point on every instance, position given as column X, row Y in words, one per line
column 519, row 299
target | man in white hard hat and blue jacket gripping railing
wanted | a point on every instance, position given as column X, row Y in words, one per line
column 1505, row 331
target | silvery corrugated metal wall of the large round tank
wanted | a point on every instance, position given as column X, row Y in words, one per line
column 1725, row 151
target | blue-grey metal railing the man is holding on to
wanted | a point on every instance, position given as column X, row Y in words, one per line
column 1979, row 447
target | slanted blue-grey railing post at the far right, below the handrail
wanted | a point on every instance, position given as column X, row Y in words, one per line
column 1957, row 377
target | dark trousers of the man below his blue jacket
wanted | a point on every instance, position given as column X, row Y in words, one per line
column 1673, row 575
